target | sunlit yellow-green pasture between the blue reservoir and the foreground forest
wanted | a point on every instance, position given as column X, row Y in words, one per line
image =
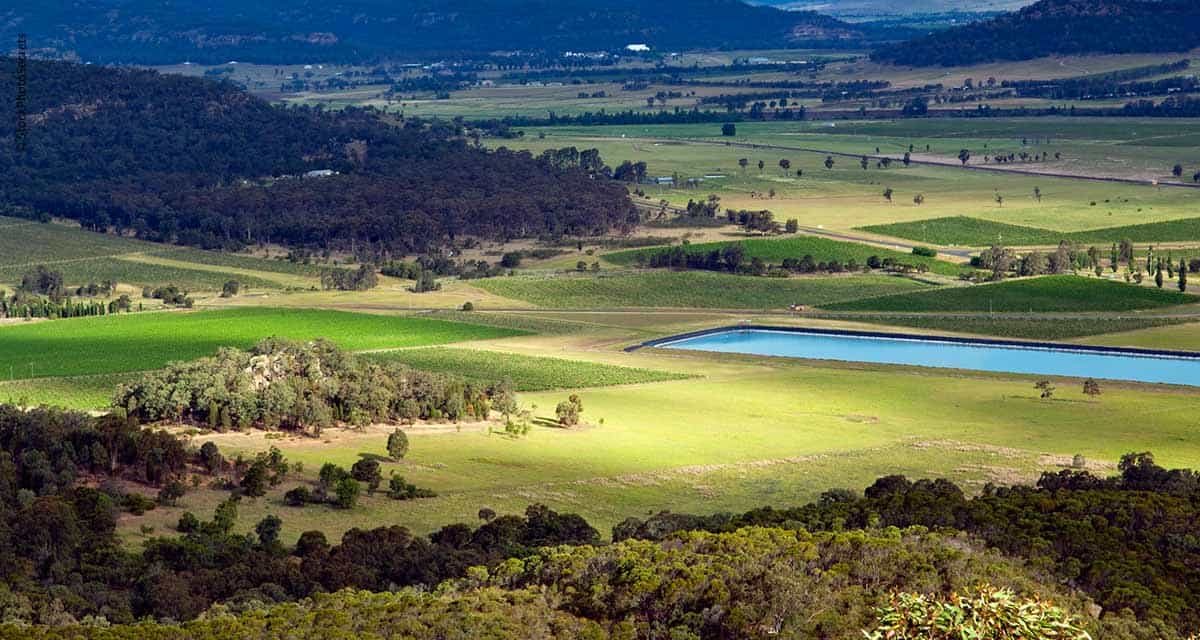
column 749, row 434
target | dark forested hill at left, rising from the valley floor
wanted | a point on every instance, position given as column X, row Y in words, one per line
column 200, row 163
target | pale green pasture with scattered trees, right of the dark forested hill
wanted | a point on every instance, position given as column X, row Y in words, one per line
column 847, row 196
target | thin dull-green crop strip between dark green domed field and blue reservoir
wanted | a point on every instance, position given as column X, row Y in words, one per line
column 1024, row 327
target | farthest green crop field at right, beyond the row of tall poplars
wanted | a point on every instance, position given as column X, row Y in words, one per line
column 974, row 232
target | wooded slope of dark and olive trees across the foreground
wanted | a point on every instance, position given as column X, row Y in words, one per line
column 818, row 571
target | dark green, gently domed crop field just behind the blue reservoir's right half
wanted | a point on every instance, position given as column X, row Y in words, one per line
column 1035, row 295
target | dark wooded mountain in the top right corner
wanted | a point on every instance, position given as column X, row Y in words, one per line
column 1057, row 28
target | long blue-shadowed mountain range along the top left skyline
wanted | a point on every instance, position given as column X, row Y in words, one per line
column 161, row 32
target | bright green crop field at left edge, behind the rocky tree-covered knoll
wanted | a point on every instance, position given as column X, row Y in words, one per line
column 151, row 340
